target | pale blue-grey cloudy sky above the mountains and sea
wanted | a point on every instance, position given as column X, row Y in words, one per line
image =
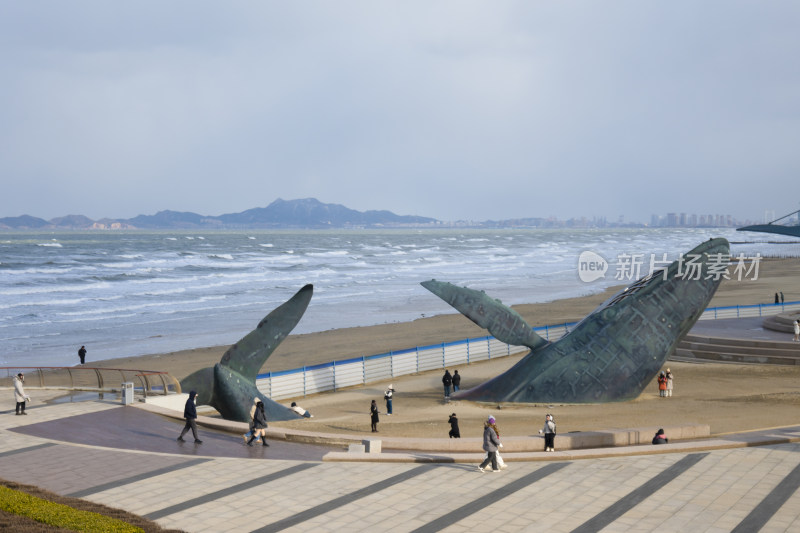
column 456, row 110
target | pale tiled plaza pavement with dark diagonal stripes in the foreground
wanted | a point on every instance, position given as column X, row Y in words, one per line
column 742, row 489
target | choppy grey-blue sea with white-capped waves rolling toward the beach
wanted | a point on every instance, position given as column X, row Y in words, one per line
column 141, row 292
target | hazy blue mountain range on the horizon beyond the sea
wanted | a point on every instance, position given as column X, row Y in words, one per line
column 305, row 213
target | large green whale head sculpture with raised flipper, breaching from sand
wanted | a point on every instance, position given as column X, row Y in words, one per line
column 613, row 353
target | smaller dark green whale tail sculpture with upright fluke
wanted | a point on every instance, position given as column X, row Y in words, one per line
column 229, row 386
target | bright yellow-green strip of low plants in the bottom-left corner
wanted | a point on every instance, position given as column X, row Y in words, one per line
column 58, row 515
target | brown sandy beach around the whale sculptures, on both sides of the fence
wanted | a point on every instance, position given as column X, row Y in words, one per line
column 725, row 396
